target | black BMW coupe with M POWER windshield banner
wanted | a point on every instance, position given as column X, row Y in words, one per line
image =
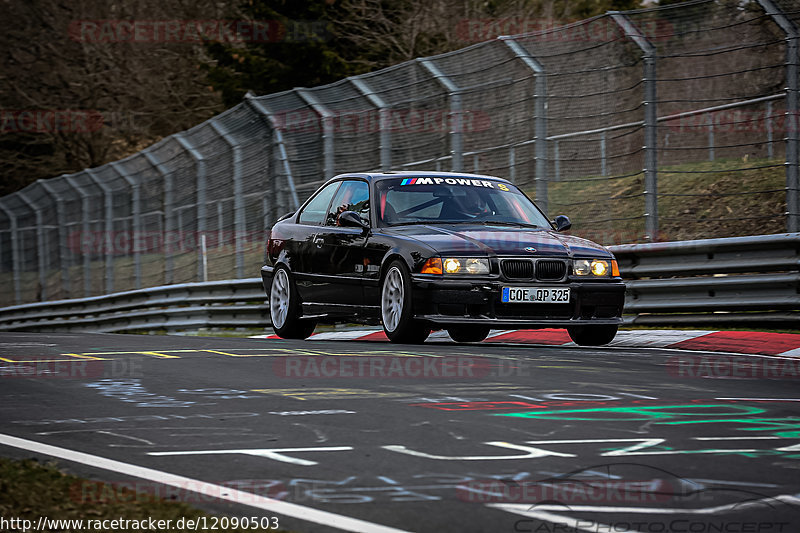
column 418, row 251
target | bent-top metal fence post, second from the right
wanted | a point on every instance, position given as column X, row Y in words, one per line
column 650, row 122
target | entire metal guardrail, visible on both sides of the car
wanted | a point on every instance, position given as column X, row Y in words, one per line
column 739, row 280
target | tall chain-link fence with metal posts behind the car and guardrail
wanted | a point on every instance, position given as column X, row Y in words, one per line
column 661, row 124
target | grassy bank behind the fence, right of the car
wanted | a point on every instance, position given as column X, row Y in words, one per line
column 709, row 199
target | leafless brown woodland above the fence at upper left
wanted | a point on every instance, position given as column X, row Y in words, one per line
column 78, row 90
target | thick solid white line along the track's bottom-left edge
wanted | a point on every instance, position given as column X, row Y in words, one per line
column 201, row 487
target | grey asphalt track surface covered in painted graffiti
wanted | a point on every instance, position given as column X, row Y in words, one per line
column 435, row 438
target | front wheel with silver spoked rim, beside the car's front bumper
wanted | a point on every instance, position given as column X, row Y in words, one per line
column 397, row 307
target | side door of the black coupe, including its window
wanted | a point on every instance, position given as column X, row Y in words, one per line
column 338, row 261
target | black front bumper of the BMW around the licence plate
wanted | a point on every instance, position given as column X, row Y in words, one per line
column 456, row 302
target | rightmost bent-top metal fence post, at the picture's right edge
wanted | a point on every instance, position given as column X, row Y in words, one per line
column 791, row 122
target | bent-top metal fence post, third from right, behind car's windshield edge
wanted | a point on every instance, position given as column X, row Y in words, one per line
column 540, row 120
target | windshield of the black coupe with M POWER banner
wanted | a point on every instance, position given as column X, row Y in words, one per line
column 456, row 200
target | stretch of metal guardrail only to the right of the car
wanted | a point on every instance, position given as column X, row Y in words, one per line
column 733, row 281
